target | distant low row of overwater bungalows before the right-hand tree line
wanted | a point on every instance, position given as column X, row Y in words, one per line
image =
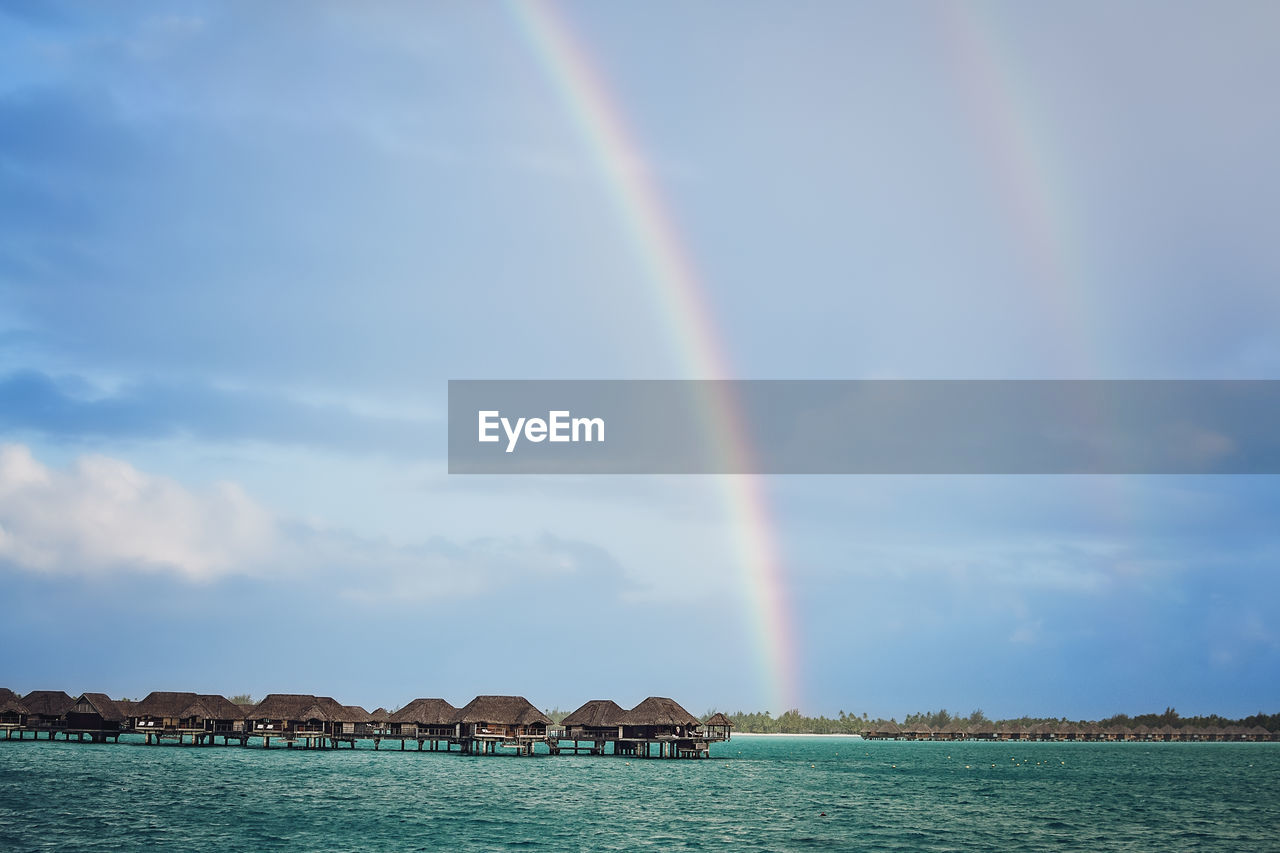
column 1064, row 732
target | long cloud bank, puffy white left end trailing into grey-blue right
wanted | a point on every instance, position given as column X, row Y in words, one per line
column 103, row 517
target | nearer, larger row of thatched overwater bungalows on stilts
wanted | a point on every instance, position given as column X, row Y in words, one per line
column 484, row 726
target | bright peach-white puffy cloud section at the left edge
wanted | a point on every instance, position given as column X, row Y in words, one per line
column 103, row 514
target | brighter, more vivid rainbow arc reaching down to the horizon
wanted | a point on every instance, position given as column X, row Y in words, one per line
column 669, row 267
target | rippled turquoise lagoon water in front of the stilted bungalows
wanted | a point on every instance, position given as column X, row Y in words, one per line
column 753, row 795
